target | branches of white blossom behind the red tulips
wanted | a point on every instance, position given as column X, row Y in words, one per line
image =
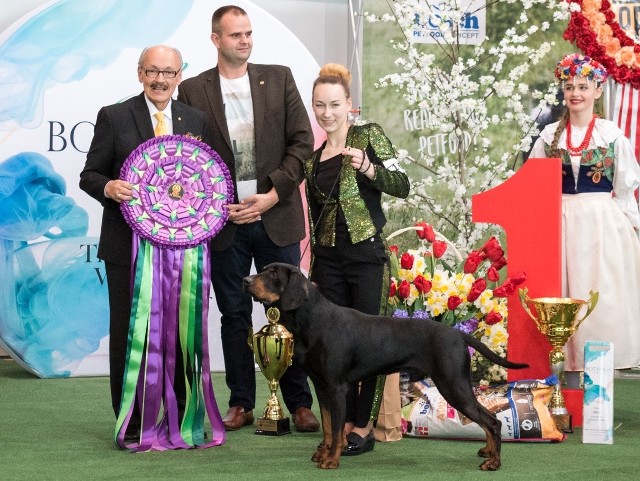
column 454, row 101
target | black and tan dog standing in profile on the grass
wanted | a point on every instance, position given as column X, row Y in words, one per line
column 337, row 346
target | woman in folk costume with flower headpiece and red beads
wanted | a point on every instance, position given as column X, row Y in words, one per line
column 600, row 217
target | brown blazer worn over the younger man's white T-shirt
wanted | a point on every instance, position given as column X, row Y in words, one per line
column 283, row 139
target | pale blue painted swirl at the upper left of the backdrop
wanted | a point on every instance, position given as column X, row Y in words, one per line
column 64, row 42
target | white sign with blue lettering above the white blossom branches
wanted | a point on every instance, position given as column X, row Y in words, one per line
column 432, row 23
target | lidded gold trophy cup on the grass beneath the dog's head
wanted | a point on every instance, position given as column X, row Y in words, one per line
column 272, row 348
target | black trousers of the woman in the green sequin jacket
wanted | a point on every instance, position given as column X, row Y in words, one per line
column 351, row 275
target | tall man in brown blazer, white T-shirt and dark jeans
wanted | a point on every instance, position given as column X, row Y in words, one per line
column 259, row 126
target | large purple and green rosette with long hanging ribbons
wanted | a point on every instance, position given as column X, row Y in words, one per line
column 180, row 191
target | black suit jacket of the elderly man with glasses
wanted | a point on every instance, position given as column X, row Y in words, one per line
column 119, row 130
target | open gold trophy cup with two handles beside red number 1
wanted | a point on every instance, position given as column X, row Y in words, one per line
column 558, row 320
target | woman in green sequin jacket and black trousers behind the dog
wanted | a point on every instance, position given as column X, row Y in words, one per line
column 345, row 179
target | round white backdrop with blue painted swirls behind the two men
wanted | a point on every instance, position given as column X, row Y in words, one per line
column 54, row 313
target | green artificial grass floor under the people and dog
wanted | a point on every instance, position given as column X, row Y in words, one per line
column 62, row 429
